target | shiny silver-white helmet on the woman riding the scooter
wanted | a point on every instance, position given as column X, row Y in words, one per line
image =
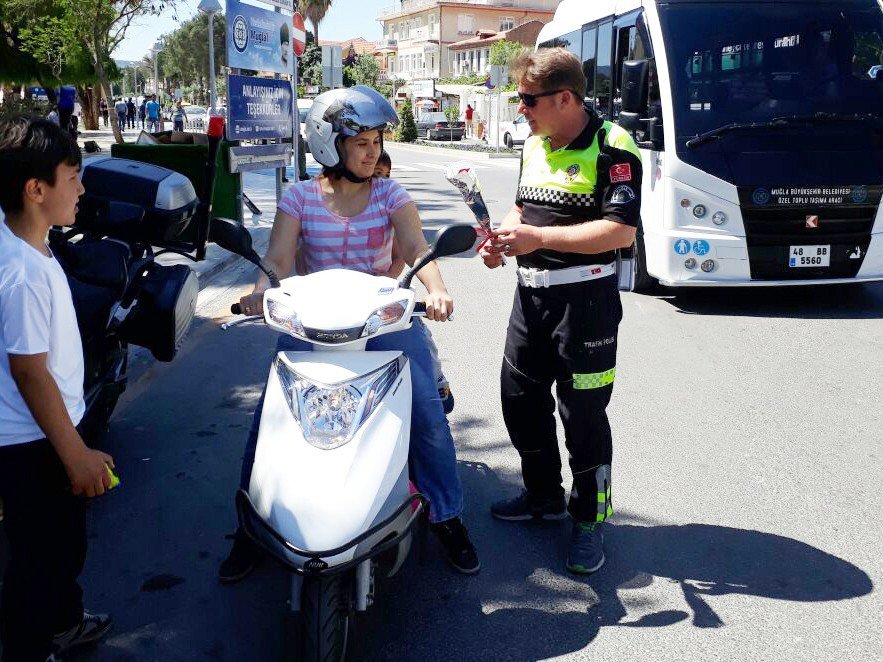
column 342, row 113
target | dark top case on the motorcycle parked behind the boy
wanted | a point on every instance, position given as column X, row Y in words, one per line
column 167, row 197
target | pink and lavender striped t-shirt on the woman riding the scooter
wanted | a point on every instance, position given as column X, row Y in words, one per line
column 361, row 243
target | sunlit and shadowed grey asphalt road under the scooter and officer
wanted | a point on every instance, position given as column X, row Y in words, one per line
column 747, row 477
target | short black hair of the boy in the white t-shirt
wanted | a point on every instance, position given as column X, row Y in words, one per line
column 31, row 148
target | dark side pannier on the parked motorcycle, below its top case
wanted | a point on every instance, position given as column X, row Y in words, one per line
column 165, row 306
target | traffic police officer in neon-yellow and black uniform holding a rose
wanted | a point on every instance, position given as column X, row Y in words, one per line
column 578, row 201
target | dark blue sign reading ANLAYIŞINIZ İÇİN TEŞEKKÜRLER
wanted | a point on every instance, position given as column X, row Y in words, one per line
column 259, row 108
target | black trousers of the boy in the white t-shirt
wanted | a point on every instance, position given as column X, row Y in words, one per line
column 46, row 528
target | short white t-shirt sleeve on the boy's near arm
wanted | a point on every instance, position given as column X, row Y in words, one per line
column 25, row 315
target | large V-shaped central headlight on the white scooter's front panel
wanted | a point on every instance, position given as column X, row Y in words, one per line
column 331, row 414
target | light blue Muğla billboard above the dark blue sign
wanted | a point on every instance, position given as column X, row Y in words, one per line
column 258, row 39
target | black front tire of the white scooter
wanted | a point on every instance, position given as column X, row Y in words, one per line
column 325, row 609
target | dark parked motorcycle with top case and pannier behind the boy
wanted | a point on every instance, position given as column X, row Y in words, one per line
column 121, row 294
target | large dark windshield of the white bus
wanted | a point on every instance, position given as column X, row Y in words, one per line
column 753, row 62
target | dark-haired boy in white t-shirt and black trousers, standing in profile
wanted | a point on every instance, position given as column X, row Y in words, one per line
column 45, row 467
